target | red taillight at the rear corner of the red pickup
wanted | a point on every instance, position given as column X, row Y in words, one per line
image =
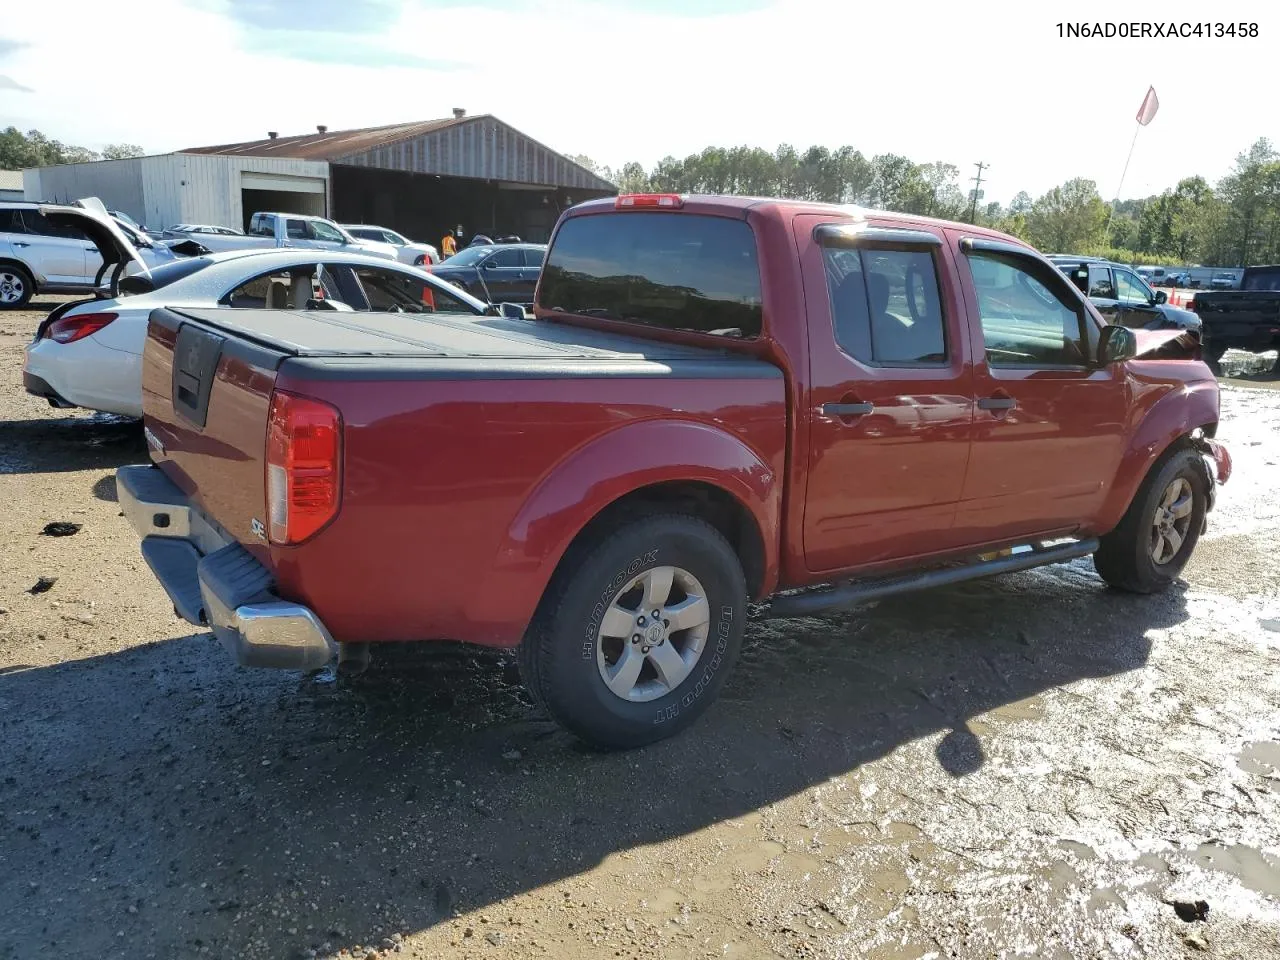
column 304, row 467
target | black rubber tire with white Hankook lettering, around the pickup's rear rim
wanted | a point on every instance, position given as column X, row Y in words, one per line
column 559, row 657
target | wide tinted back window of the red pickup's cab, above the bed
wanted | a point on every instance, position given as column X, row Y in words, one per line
column 680, row 272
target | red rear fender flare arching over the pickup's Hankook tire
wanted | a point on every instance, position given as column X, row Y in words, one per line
column 604, row 472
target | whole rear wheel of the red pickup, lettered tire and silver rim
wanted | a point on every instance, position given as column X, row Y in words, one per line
column 638, row 632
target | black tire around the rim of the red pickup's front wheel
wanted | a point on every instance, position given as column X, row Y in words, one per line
column 1124, row 559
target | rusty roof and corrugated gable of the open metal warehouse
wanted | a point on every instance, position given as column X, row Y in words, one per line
column 479, row 147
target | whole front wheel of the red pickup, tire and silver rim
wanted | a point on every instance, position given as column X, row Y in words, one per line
column 1159, row 533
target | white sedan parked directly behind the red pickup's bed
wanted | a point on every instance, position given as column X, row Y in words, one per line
column 89, row 354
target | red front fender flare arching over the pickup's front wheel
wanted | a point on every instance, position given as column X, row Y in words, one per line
column 1177, row 414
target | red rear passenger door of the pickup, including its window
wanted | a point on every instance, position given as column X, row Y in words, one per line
column 892, row 395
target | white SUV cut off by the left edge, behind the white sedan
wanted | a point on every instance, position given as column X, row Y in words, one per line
column 39, row 255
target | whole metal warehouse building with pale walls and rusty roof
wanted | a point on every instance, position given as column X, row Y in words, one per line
column 419, row 179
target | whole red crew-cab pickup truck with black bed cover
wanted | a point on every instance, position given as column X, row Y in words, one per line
column 716, row 400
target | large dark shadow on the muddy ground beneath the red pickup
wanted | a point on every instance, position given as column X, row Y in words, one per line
column 163, row 799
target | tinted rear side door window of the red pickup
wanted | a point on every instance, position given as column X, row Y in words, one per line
column 885, row 305
